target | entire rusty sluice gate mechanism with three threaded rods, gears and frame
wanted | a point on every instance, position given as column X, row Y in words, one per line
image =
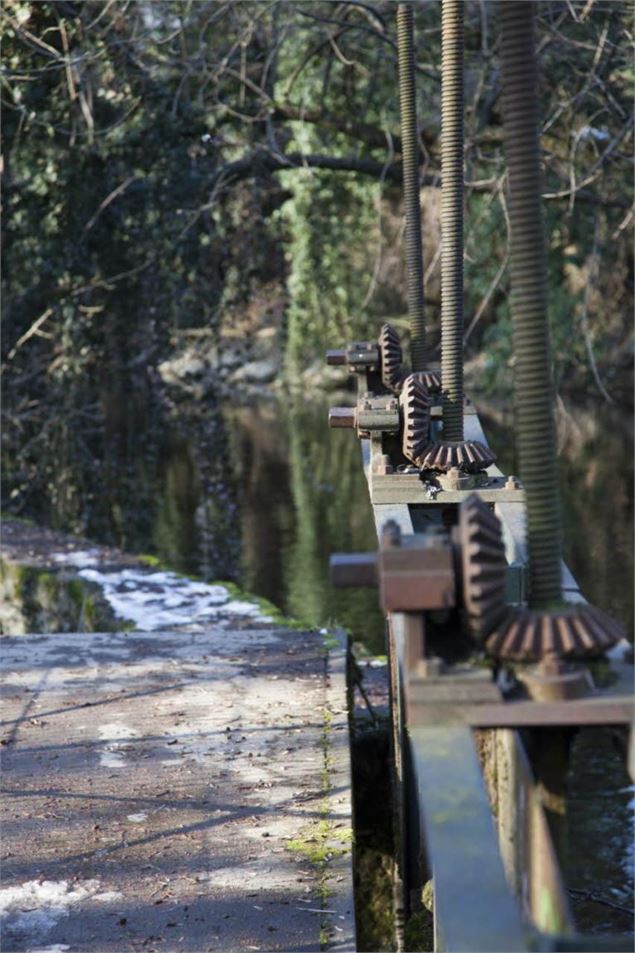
column 486, row 627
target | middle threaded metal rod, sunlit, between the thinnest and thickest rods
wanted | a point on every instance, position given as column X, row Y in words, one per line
column 452, row 219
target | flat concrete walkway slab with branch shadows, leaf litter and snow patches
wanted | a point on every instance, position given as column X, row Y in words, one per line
column 176, row 791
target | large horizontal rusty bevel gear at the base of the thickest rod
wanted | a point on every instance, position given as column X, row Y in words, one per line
column 576, row 631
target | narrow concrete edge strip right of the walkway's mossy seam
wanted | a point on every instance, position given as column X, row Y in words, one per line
column 339, row 879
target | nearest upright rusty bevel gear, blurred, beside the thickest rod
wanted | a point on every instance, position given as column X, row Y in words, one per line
column 483, row 566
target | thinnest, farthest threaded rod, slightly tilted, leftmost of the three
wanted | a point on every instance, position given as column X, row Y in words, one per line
column 414, row 247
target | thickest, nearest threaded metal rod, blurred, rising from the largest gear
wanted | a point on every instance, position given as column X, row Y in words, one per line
column 533, row 389
